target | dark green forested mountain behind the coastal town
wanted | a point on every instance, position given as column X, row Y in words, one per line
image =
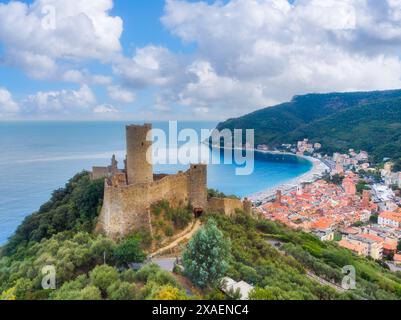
column 368, row 121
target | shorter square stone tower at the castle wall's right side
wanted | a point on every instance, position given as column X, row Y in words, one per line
column 198, row 186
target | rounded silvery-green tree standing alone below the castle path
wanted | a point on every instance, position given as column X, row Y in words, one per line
column 205, row 258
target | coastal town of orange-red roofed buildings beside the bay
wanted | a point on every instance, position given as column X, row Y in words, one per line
column 341, row 199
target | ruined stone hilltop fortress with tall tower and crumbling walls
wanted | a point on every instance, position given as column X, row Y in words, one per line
column 129, row 193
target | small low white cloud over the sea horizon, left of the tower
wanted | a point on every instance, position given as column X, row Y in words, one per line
column 63, row 101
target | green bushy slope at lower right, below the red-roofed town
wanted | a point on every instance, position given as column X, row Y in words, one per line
column 278, row 276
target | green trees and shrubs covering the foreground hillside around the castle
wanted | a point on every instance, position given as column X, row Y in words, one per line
column 92, row 267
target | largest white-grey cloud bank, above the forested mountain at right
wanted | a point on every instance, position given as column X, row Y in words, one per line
column 250, row 53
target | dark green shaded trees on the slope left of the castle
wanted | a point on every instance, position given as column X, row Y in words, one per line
column 74, row 207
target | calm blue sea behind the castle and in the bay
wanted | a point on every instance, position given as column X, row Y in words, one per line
column 39, row 157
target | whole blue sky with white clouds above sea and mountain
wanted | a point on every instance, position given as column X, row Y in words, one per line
column 187, row 59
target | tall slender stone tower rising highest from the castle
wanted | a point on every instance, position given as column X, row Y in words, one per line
column 139, row 165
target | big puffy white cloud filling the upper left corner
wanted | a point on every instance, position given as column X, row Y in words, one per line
column 82, row 30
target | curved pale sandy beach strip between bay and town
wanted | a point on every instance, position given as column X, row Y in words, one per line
column 316, row 172
